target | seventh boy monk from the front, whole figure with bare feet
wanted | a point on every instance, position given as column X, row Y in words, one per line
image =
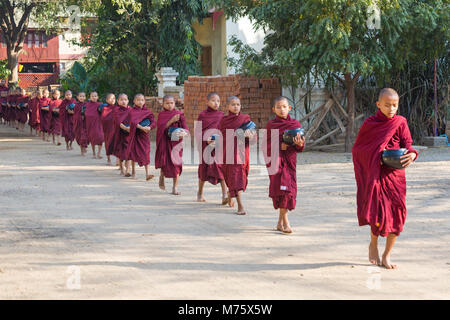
column 121, row 137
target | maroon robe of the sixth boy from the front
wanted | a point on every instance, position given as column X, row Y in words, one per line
column 139, row 141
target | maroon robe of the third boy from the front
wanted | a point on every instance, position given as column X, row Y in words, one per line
column 235, row 173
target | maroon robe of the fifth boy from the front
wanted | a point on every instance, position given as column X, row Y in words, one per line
column 171, row 167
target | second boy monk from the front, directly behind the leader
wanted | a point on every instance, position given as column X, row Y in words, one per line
column 282, row 163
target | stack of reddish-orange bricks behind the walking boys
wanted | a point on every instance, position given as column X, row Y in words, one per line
column 256, row 95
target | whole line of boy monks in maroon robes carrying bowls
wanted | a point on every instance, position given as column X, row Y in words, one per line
column 124, row 130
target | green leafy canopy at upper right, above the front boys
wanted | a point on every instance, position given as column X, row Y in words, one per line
column 331, row 39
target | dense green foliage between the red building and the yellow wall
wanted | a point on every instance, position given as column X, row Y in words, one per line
column 131, row 42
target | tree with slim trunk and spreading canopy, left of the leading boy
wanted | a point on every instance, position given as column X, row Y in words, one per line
column 335, row 37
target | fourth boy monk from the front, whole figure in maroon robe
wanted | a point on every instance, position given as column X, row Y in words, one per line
column 209, row 169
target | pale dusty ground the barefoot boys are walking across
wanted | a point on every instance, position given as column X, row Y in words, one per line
column 64, row 217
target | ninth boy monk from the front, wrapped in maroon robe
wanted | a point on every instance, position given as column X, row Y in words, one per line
column 94, row 125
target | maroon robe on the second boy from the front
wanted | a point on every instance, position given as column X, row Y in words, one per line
column 283, row 184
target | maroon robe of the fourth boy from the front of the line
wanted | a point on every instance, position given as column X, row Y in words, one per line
column 210, row 119
